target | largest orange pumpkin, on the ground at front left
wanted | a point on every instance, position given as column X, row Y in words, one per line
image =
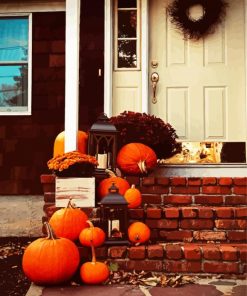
column 50, row 260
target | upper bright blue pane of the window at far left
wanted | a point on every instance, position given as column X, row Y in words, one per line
column 13, row 39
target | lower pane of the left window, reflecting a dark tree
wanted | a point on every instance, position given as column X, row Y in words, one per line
column 13, row 86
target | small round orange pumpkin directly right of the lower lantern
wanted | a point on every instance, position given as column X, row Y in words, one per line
column 138, row 233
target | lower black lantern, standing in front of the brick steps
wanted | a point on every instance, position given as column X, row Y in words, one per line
column 114, row 217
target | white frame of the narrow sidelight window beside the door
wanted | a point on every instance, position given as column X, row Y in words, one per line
column 137, row 38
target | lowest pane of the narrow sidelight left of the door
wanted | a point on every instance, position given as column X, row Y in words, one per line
column 127, row 54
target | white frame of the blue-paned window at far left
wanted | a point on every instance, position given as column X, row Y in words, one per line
column 22, row 110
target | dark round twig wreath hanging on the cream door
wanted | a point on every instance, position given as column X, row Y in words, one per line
column 213, row 13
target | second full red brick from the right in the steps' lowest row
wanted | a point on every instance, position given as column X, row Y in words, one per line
column 179, row 266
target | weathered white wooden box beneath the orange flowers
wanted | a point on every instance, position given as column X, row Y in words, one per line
column 80, row 190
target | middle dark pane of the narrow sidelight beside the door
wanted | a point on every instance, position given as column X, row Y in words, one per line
column 127, row 24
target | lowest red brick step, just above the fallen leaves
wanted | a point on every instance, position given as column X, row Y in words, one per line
column 174, row 258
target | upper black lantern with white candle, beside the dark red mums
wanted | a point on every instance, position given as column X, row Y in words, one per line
column 102, row 143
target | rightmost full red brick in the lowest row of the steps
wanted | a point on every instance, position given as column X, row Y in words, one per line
column 219, row 267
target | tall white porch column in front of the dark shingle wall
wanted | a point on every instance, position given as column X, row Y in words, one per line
column 72, row 73
